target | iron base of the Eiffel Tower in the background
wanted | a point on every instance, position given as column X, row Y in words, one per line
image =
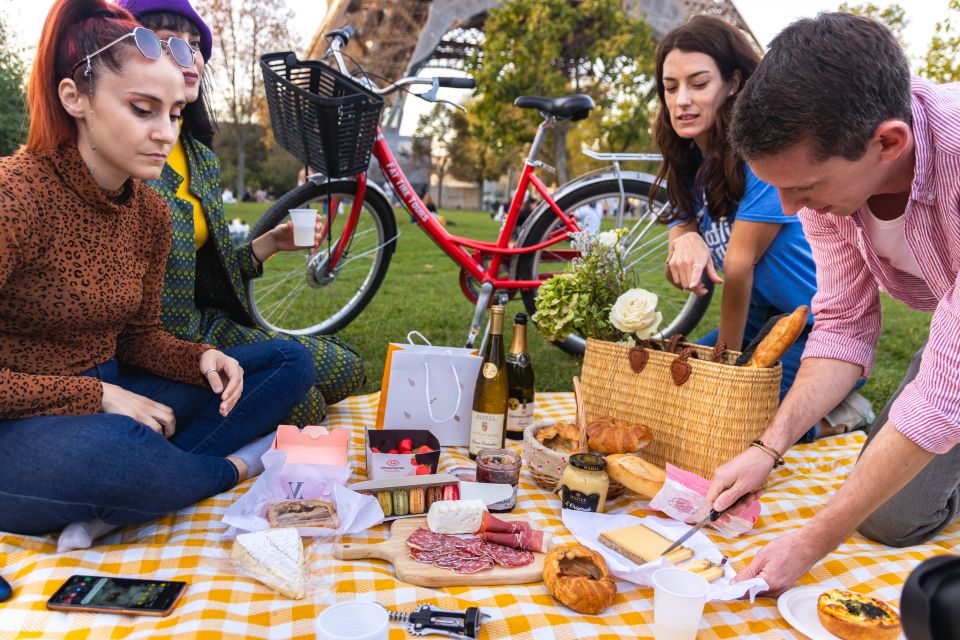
column 400, row 37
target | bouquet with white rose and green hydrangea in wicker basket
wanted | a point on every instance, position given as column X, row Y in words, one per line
column 594, row 298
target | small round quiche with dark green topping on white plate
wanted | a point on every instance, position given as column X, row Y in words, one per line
column 853, row 616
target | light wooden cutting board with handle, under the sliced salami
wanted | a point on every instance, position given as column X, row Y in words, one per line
column 410, row 571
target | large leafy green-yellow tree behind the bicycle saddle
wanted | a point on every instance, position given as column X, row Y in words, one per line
column 553, row 47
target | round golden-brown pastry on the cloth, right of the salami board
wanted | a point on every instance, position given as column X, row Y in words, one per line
column 578, row 577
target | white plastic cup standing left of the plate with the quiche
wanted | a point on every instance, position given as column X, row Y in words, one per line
column 678, row 599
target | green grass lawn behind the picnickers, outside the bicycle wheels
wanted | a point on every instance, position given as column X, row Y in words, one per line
column 421, row 291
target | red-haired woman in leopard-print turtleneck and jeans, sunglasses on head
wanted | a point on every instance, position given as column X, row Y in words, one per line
column 106, row 419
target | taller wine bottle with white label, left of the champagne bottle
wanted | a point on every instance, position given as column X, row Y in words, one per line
column 490, row 398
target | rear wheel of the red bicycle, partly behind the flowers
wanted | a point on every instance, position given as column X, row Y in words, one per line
column 645, row 252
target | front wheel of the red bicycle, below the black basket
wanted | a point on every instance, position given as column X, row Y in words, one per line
column 305, row 293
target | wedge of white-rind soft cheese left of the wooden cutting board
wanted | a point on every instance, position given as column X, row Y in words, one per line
column 275, row 558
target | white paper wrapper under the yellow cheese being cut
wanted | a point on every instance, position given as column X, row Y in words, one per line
column 587, row 527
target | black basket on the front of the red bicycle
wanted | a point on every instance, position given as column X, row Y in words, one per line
column 325, row 119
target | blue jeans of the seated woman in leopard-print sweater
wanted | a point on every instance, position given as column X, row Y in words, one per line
column 55, row 470
